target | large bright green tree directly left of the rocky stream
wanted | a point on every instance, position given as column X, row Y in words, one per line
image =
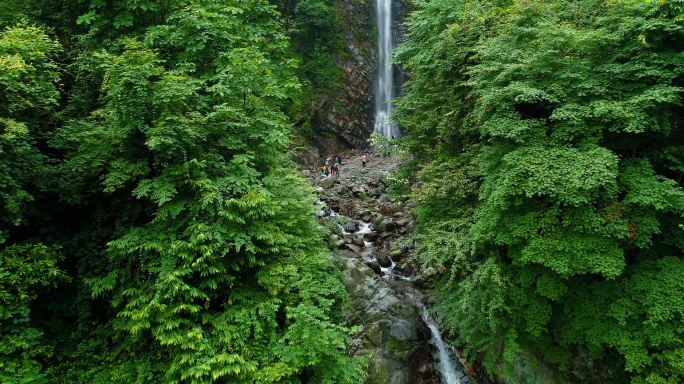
column 215, row 268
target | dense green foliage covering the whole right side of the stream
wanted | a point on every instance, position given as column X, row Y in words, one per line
column 551, row 150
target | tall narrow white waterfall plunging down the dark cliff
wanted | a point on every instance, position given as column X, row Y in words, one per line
column 384, row 91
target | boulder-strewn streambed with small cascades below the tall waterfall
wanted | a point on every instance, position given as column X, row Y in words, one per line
column 369, row 236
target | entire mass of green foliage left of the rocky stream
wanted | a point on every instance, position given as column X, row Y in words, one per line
column 151, row 227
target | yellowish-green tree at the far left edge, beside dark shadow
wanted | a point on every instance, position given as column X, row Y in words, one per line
column 28, row 77
